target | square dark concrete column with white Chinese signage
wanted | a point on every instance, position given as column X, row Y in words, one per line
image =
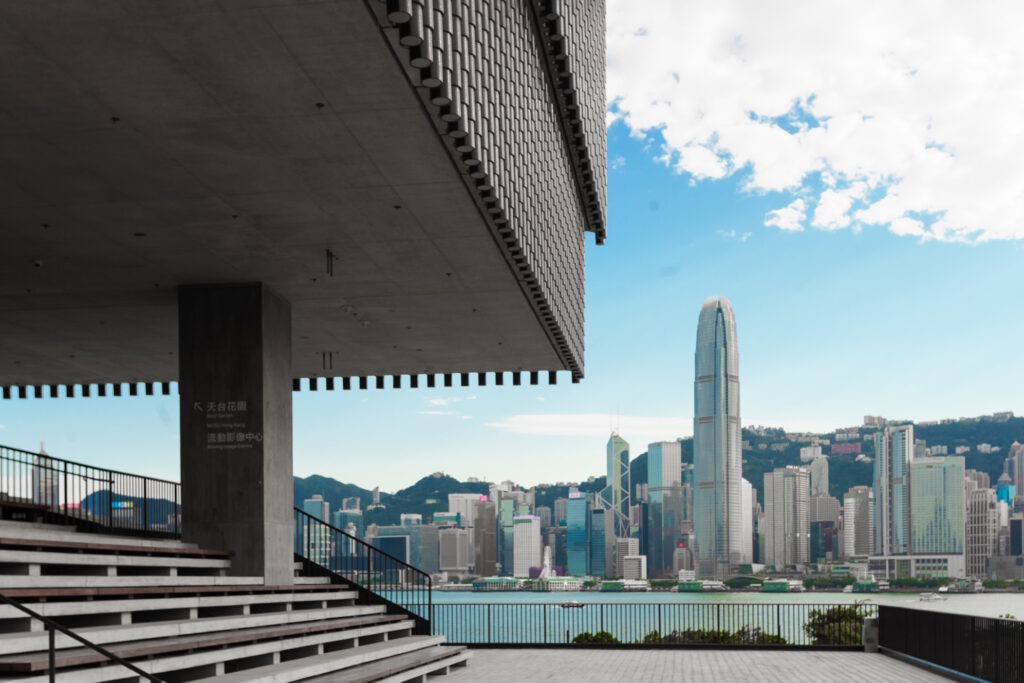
column 235, row 355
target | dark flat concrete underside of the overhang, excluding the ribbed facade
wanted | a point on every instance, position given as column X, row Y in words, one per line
column 147, row 145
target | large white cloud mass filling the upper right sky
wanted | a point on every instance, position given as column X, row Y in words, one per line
column 900, row 115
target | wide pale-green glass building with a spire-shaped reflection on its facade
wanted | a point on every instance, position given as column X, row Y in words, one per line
column 937, row 505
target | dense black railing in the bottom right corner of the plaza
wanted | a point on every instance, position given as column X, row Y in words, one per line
column 992, row 650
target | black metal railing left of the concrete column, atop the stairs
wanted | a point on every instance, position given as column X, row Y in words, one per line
column 94, row 498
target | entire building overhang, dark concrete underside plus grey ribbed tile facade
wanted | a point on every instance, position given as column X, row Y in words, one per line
column 308, row 147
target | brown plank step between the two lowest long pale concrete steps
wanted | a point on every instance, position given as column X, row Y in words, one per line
column 78, row 657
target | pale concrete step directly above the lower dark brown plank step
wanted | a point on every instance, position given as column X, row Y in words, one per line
column 30, row 643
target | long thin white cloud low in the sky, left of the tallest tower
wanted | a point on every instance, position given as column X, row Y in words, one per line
column 641, row 430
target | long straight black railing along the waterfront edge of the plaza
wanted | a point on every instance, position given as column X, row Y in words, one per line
column 655, row 625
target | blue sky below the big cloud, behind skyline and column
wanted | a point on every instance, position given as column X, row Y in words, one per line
column 832, row 326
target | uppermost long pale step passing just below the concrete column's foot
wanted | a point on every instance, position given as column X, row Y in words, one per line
column 156, row 603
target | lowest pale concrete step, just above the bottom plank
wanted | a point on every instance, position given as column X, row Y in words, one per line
column 298, row 670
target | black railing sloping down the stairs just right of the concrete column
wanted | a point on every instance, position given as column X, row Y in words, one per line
column 380, row 577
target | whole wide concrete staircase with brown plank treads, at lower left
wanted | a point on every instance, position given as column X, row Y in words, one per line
column 172, row 610
